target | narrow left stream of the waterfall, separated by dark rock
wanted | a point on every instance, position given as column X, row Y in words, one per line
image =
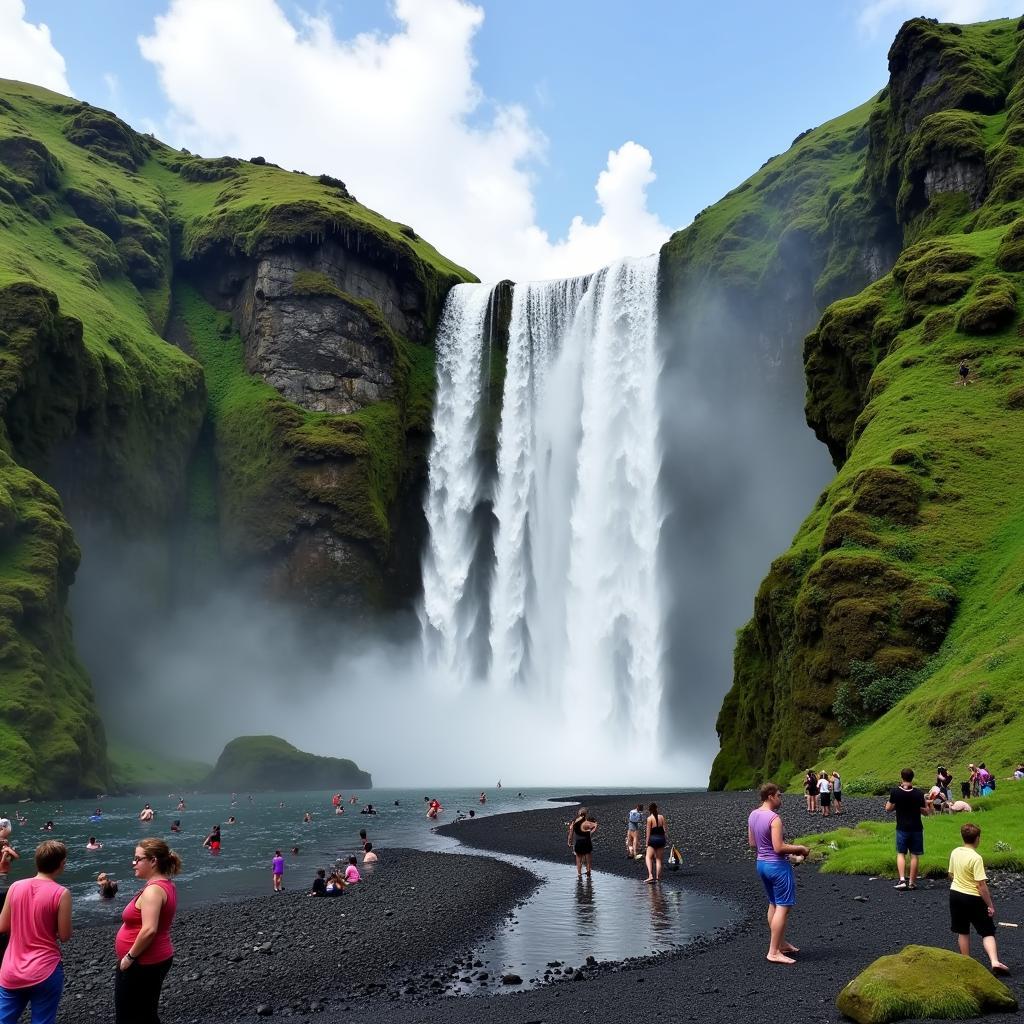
column 448, row 617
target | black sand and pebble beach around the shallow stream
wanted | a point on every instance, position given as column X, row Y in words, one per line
column 398, row 947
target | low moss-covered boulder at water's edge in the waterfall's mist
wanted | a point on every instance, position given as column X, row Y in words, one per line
column 255, row 763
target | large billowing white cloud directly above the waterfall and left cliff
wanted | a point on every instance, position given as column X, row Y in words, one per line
column 401, row 119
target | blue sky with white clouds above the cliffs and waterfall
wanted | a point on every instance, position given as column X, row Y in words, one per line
column 707, row 92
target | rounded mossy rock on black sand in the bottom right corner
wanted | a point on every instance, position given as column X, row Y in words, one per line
column 922, row 983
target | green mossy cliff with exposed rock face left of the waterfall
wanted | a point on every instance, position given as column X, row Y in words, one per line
column 144, row 296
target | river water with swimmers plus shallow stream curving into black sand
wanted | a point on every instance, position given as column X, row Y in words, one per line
column 608, row 918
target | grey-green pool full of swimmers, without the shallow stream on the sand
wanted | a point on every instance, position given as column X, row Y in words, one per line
column 267, row 822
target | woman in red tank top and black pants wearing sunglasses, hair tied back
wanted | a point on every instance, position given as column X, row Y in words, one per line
column 144, row 944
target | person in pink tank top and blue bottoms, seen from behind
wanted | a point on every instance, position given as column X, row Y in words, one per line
column 37, row 917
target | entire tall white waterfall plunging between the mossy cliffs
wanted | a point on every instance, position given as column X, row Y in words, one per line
column 575, row 606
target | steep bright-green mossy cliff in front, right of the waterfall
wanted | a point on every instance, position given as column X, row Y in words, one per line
column 889, row 633
